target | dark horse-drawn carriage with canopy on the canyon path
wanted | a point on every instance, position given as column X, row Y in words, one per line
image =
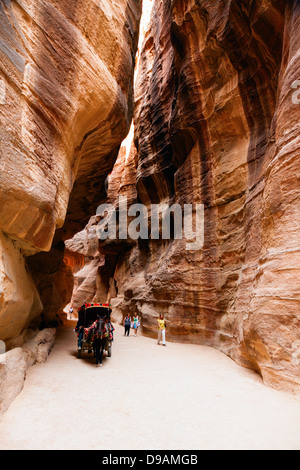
column 95, row 331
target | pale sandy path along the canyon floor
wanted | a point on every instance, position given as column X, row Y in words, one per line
column 183, row 397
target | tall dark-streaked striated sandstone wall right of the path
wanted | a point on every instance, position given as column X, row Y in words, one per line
column 215, row 123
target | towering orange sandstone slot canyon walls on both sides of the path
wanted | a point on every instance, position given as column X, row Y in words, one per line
column 174, row 102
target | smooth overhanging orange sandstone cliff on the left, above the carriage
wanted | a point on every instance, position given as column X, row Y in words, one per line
column 66, row 88
